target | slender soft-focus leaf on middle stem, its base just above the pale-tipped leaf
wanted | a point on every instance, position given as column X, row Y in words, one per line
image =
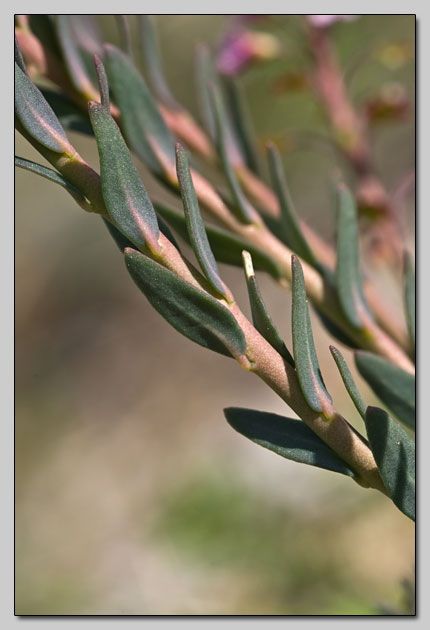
column 241, row 206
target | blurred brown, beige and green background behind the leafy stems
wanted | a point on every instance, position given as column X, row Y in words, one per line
column 133, row 494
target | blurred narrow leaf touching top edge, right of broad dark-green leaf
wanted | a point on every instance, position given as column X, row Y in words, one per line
column 150, row 52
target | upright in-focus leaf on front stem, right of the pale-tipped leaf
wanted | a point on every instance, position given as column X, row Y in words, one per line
column 305, row 357
